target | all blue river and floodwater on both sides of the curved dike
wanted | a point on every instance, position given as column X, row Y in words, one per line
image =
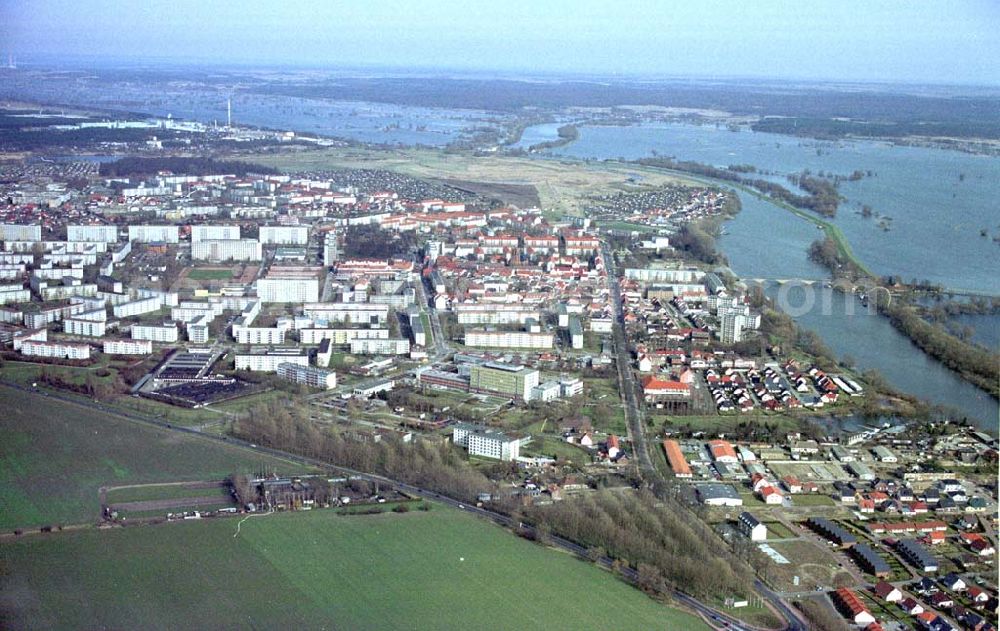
column 934, row 234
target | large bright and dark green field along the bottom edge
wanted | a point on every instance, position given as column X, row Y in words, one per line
column 420, row 570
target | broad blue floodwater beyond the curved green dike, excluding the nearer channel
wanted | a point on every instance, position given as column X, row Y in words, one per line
column 935, row 202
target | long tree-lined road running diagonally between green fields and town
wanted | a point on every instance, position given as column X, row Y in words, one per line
column 716, row 617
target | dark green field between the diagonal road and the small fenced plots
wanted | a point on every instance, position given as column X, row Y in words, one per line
column 54, row 456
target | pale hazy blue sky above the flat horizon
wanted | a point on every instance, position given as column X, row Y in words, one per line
column 910, row 41
